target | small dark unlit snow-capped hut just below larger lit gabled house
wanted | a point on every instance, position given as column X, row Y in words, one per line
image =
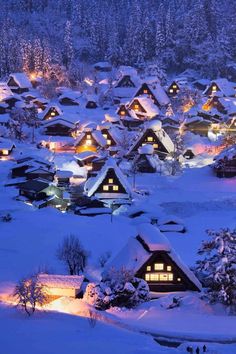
column 145, row 161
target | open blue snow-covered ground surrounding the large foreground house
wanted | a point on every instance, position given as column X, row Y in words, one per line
column 30, row 240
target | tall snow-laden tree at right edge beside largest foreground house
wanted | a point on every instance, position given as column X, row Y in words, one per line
column 217, row 268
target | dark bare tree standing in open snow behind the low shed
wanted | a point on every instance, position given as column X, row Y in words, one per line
column 72, row 253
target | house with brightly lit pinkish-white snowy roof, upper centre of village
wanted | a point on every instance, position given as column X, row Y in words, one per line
column 144, row 107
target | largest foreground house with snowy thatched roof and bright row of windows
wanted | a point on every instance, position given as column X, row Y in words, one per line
column 150, row 256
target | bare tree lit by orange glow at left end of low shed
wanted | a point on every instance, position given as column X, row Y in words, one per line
column 30, row 293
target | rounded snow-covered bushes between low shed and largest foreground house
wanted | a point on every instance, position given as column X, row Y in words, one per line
column 118, row 288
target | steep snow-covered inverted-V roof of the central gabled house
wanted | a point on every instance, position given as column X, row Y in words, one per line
column 93, row 183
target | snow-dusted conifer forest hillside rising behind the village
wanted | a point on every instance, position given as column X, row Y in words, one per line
column 176, row 34
